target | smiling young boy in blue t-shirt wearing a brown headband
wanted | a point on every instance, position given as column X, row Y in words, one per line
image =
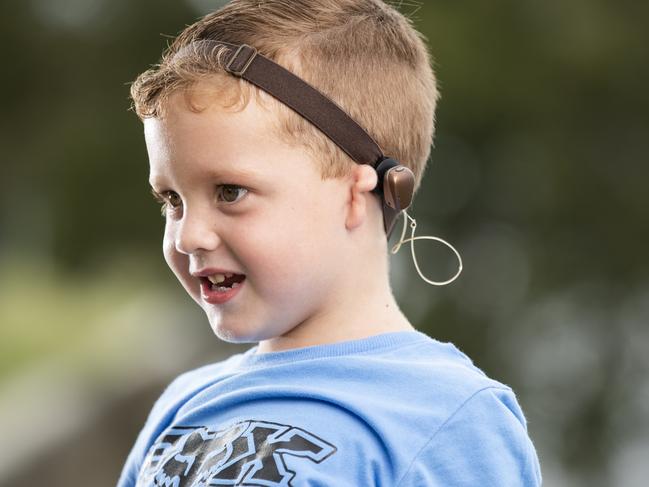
column 275, row 229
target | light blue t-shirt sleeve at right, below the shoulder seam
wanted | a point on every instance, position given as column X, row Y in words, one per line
column 484, row 443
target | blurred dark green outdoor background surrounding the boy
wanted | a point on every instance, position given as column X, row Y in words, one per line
column 538, row 177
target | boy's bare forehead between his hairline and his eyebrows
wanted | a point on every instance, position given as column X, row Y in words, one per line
column 218, row 141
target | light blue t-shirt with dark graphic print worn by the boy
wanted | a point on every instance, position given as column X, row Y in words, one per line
column 395, row 409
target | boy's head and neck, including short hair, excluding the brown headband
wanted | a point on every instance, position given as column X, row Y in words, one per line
column 251, row 187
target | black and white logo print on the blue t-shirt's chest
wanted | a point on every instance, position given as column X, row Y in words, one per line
column 248, row 453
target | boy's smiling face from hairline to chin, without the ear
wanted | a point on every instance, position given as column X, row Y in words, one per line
column 284, row 230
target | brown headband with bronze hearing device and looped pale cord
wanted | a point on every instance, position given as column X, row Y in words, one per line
column 395, row 182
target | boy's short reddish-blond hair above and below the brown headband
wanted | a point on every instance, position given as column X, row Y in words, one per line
column 363, row 54
